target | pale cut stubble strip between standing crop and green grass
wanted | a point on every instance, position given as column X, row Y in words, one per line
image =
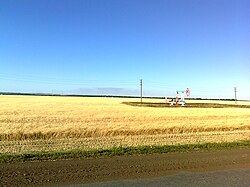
column 67, row 144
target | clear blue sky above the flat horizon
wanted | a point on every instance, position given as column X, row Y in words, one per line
column 107, row 46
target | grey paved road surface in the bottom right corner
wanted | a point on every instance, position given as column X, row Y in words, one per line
column 223, row 178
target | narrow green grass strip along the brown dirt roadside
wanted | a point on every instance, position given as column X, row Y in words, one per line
column 117, row 151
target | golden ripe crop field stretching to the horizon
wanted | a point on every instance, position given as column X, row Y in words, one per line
column 44, row 123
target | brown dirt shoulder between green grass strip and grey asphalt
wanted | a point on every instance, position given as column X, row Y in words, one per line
column 94, row 170
